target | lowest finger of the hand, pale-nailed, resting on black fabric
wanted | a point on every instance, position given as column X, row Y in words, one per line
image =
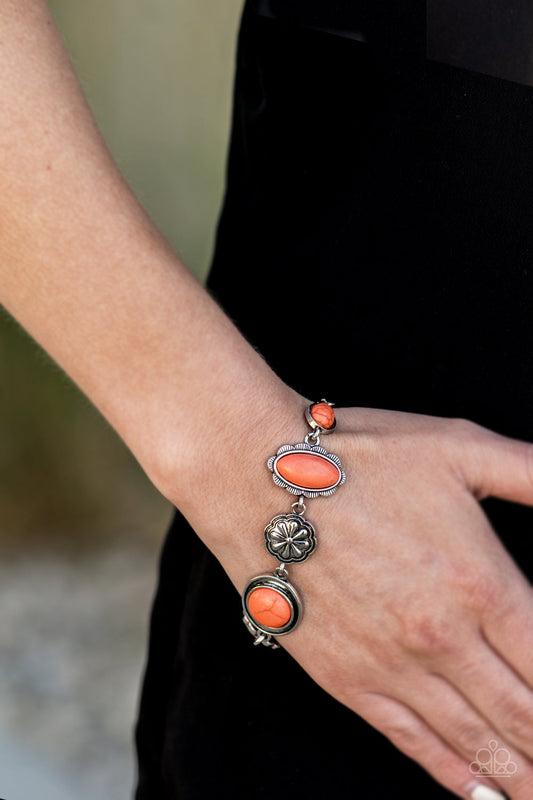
column 410, row 734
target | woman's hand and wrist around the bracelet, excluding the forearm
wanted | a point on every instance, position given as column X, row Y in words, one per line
column 415, row 616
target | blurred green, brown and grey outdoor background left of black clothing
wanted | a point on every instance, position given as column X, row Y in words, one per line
column 80, row 524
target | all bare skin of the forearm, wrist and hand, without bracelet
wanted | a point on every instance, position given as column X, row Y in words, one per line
column 433, row 644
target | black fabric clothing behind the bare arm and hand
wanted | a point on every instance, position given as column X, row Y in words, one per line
column 393, row 194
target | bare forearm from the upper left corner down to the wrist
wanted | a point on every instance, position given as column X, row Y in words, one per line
column 86, row 272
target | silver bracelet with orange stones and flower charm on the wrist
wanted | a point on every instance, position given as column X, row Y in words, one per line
column 271, row 605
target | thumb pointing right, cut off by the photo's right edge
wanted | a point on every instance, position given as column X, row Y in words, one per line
column 496, row 466
